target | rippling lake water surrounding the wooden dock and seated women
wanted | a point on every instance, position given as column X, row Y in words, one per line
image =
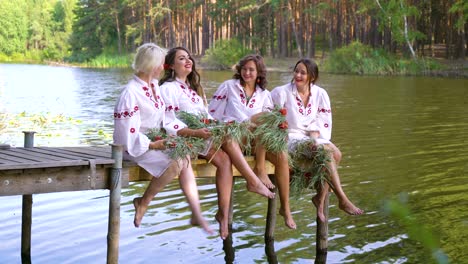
column 402, row 138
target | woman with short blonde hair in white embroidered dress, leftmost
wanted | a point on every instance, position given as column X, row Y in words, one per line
column 140, row 108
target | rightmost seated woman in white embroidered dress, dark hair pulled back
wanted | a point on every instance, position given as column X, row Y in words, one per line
column 309, row 115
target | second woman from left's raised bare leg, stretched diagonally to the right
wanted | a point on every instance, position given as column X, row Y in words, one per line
column 253, row 182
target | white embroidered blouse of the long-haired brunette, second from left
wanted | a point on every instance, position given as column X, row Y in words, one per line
column 179, row 97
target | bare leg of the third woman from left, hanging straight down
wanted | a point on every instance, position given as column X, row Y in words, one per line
column 280, row 161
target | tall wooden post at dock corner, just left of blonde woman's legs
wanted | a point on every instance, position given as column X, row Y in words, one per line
column 115, row 185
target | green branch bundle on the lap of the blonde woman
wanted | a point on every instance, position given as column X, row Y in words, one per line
column 177, row 147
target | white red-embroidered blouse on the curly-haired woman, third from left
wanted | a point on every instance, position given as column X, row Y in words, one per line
column 230, row 102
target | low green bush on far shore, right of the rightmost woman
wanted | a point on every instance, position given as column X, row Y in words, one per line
column 357, row 58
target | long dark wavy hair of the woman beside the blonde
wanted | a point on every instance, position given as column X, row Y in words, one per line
column 193, row 78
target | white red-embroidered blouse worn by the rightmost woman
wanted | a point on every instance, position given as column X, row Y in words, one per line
column 303, row 119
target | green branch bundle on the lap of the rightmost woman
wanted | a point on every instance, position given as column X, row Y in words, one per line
column 308, row 166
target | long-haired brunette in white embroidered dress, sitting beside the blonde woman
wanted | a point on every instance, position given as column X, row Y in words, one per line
column 181, row 91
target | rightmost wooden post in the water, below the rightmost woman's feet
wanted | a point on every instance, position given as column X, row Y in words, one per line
column 322, row 235
